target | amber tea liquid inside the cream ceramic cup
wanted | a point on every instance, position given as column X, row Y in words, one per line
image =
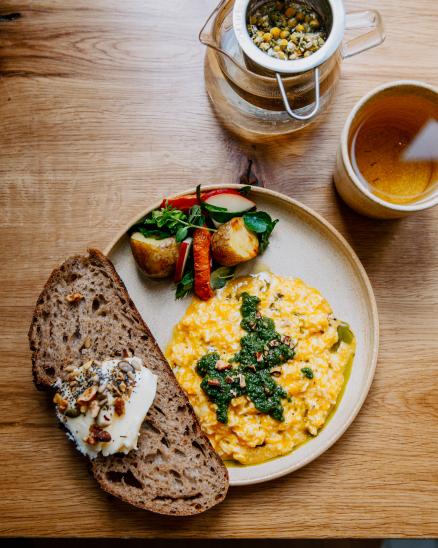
column 393, row 148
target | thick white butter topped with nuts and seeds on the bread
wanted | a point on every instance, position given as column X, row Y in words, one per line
column 106, row 404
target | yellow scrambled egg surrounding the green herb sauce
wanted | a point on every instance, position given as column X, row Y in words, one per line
column 298, row 311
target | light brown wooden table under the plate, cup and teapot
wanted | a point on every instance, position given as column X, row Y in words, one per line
column 103, row 110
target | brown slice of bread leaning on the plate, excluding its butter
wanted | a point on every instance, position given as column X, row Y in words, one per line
column 175, row 469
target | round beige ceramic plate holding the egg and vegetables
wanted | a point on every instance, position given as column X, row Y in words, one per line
column 303, row 245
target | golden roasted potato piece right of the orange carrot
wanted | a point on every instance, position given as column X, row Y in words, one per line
column 233, row 243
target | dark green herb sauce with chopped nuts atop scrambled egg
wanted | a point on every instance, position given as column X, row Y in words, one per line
column 261, row 350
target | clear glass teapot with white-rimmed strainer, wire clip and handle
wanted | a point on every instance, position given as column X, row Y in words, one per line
column 279, row 96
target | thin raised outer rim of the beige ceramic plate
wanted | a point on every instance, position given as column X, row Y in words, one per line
column 369, row 293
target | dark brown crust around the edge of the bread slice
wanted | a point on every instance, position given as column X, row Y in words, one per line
column 100, row 464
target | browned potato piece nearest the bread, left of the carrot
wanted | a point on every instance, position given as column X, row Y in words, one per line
column 155, row 258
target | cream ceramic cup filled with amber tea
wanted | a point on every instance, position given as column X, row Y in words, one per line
column 417, row 110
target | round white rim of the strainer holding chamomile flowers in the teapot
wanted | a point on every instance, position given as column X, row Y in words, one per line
column 333, row 41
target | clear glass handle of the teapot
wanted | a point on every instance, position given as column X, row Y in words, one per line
column 363, row 20
